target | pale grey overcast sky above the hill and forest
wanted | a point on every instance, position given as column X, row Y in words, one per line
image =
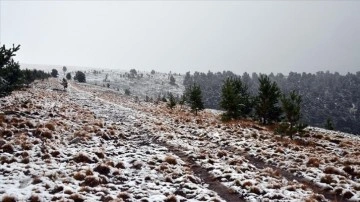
column 259, row 36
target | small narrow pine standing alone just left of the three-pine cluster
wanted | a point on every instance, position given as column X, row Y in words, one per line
column 194, row 96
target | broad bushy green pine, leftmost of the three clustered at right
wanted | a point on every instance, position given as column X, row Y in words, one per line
column 235, row 99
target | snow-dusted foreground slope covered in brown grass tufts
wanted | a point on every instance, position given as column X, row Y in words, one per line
column 93, row 144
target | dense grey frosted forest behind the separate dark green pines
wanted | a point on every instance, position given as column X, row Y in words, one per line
column 327, row 99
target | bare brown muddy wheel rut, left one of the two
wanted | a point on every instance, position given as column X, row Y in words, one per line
column 214, row 185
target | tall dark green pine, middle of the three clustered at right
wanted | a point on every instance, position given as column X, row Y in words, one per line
column 267, row 108
